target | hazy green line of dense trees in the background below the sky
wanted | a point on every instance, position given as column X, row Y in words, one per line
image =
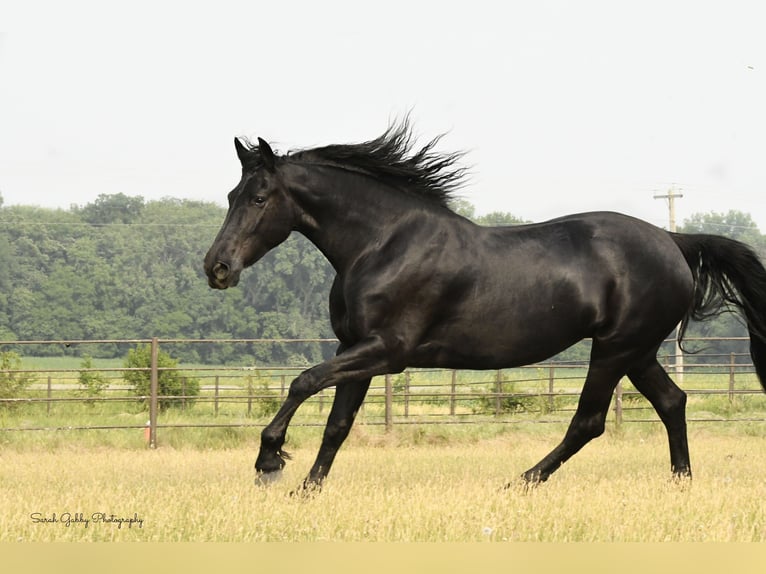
column 124, row 267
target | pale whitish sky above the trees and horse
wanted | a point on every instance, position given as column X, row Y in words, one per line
column 562, row 106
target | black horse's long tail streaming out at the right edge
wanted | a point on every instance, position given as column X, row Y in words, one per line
column 727, row 273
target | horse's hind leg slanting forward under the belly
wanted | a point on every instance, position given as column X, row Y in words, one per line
column 589, row 419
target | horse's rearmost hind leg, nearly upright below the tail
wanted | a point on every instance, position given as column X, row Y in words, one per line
column 670, row 403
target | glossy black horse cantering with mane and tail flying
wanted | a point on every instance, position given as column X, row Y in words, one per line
column 418, row 285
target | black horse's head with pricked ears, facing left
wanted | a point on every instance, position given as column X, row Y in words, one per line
column 261, row 215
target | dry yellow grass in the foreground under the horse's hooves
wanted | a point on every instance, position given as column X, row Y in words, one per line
column 383, row 488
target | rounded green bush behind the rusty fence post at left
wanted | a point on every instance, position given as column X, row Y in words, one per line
column 173, row 387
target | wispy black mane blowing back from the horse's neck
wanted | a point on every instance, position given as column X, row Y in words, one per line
column 392, row 159
